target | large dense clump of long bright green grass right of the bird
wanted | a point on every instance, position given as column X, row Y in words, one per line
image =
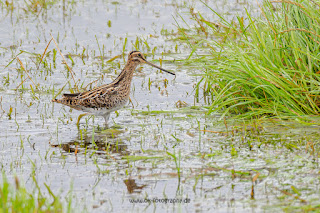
column 265, row 66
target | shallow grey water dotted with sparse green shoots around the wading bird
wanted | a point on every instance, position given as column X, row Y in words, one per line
column 155, row 149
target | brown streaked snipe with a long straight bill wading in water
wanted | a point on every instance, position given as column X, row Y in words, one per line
column 103, row 100
